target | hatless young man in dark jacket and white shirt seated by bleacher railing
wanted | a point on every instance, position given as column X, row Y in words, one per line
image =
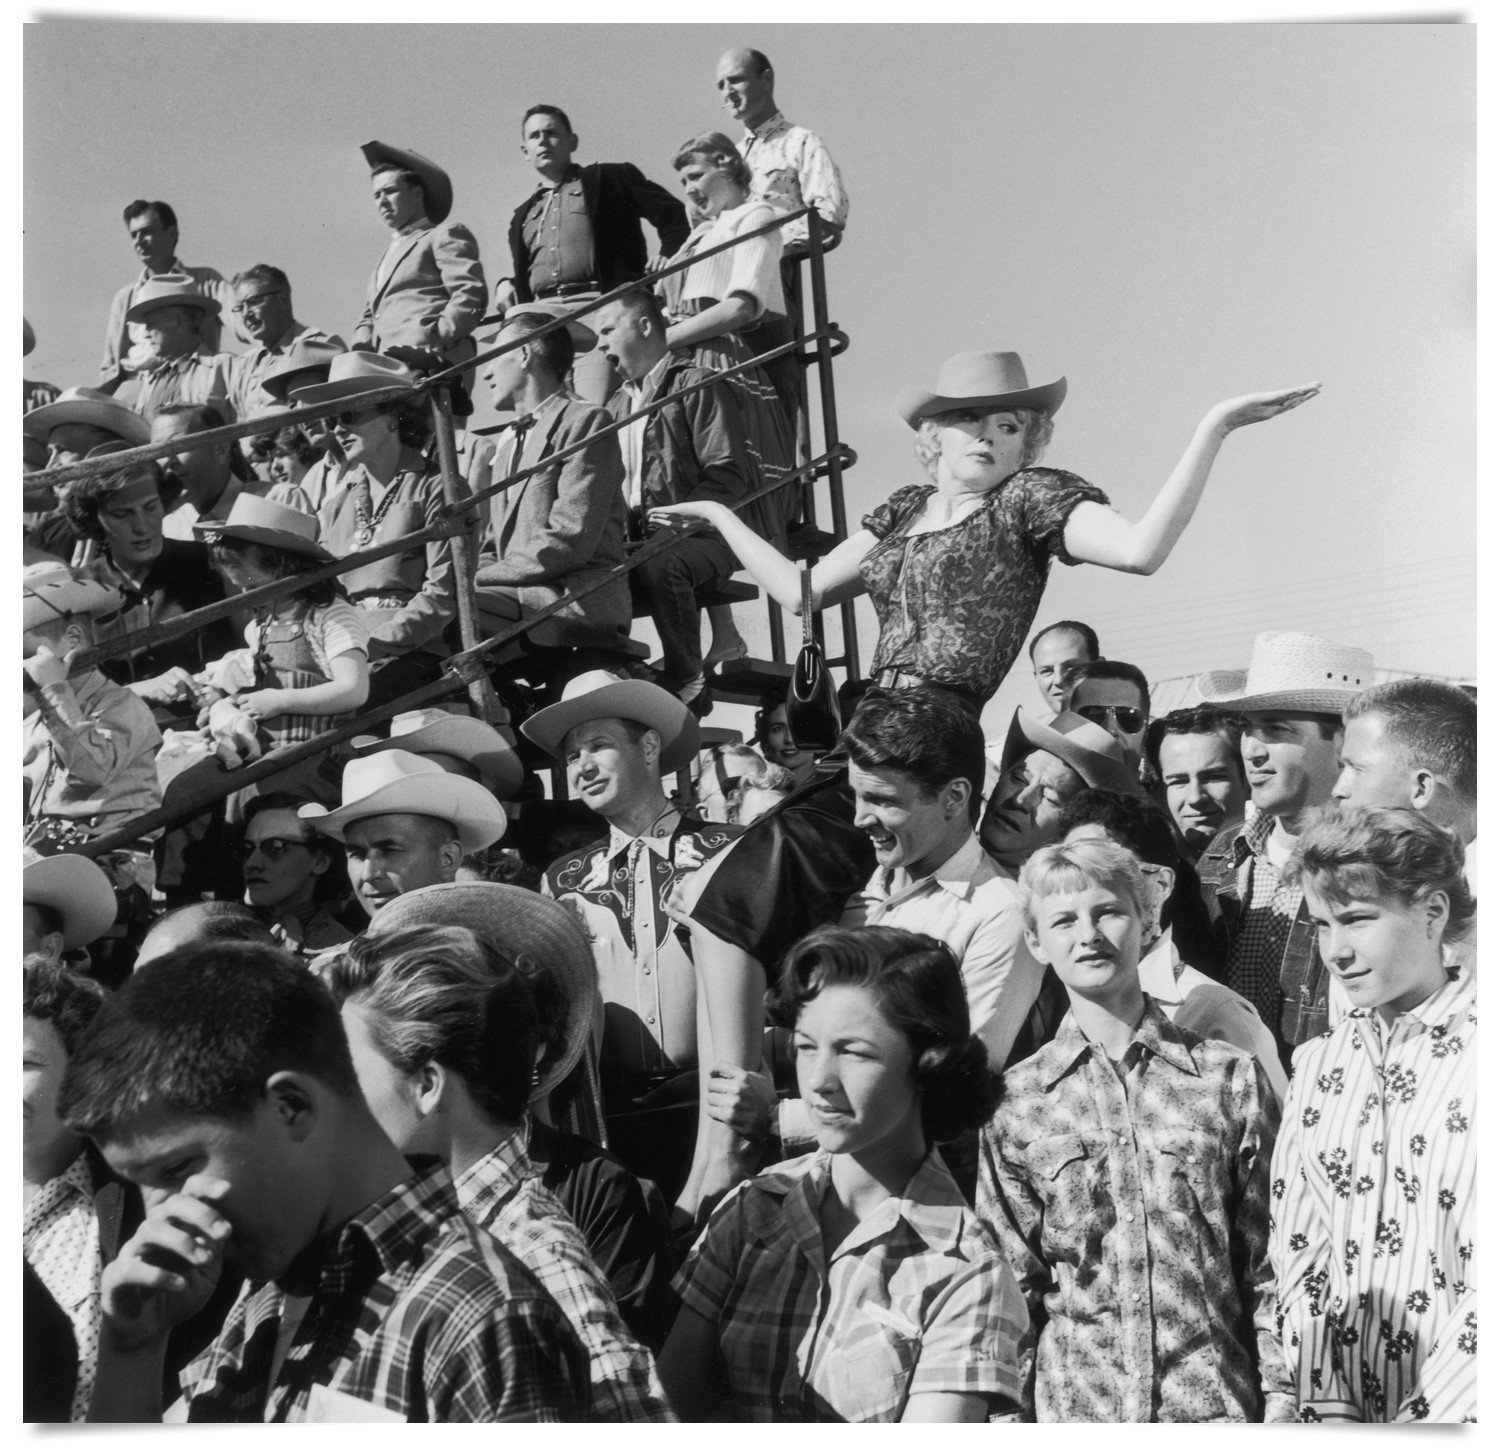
column 692, row 451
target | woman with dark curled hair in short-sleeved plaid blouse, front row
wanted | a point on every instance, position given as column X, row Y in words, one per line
column 856, row 1285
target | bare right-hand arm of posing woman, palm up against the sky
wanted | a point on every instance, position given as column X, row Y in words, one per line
column 1097, row 535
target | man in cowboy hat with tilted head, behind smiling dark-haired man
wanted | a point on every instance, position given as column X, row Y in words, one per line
column 1043, row 764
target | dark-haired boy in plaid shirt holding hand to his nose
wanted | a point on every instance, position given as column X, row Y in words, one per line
column 220, row 1081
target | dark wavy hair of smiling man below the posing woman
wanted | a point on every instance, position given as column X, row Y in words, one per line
column 925, row 733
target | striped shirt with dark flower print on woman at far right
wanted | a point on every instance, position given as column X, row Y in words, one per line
column 1376, row 1213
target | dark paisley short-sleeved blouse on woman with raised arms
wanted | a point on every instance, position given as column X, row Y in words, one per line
column 956, row 605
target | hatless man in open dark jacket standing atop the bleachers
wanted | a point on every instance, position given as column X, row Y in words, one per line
column 580, row 232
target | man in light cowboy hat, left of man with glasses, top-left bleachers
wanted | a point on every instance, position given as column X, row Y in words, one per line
column 176, row 368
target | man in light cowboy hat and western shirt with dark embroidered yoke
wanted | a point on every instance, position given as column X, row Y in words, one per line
column 619, row 739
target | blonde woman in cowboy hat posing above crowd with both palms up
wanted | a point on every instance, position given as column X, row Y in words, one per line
column 956, row 569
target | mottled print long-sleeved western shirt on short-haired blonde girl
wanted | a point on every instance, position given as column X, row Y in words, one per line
column 1136, row 1217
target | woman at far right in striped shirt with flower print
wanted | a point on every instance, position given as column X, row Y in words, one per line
column 1375, row 1177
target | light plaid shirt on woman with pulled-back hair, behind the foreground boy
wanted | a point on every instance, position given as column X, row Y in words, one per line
column 505, row 1195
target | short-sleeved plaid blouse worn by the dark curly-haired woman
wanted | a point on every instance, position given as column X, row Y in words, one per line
column 914, row 1300
